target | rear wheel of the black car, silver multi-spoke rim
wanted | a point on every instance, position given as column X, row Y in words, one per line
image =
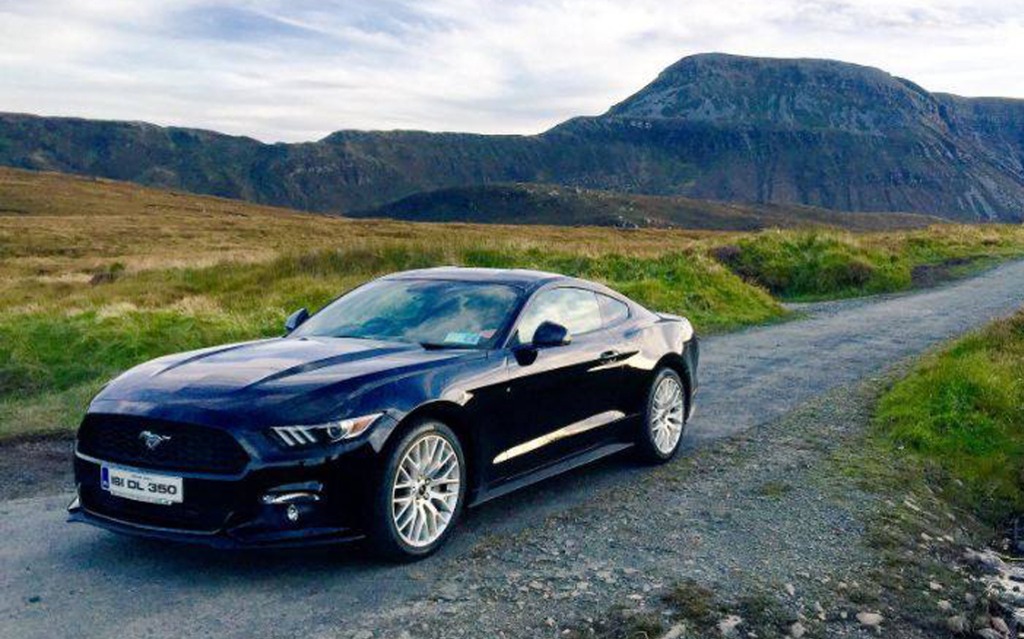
column 664, row 422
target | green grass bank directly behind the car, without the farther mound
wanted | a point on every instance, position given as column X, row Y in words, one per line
column 50, row 359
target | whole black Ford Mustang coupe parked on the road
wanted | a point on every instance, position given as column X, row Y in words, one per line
column 386, row 413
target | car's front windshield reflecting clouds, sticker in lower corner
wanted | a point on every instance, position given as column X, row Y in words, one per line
column 433, row 313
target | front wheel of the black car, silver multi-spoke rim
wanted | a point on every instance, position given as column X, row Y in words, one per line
column 414, row 514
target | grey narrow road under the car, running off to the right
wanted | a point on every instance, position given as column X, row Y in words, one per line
column 524, row 566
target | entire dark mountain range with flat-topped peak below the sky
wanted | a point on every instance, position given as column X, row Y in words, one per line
column 812, row 133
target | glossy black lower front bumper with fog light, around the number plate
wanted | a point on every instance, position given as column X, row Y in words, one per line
column 236, row 512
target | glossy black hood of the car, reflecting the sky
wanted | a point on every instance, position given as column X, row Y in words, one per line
column 283, row 367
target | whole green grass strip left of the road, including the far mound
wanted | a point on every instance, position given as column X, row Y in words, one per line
column 60, row 340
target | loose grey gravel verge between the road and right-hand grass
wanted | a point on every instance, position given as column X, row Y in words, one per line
column 764, row 517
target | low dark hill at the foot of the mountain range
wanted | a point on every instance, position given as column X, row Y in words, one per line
column 549, row 204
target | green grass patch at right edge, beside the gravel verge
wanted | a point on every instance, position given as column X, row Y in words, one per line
column 961, row 413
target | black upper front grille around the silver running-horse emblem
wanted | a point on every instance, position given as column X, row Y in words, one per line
column 119, row 439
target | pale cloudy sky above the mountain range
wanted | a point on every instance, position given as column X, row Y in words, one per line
column 297, row 70
